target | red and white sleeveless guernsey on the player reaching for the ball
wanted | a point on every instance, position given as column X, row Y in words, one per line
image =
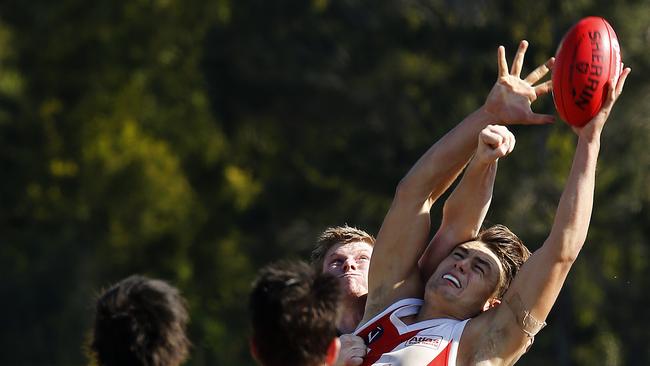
column 427, row 343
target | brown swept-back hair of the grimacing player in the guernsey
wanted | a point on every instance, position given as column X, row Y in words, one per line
column 510, row 250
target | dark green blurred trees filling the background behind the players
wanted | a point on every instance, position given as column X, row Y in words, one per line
column 195, row 141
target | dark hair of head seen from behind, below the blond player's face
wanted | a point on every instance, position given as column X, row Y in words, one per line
column 294, row 310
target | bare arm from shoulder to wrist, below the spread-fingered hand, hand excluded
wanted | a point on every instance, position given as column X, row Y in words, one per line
column 406, row 227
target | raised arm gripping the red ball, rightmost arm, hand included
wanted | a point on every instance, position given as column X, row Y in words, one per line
column 537, row 285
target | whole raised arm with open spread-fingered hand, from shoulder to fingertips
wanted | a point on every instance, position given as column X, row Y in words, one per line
column 405, row 229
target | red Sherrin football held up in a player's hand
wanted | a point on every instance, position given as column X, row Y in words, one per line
column 588, row 56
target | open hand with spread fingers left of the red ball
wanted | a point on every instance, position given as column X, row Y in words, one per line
column 511, row 96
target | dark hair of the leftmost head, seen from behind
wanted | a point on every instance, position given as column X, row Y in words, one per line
column 140, row 321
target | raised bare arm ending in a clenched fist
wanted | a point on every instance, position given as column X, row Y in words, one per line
column 466, row 207
